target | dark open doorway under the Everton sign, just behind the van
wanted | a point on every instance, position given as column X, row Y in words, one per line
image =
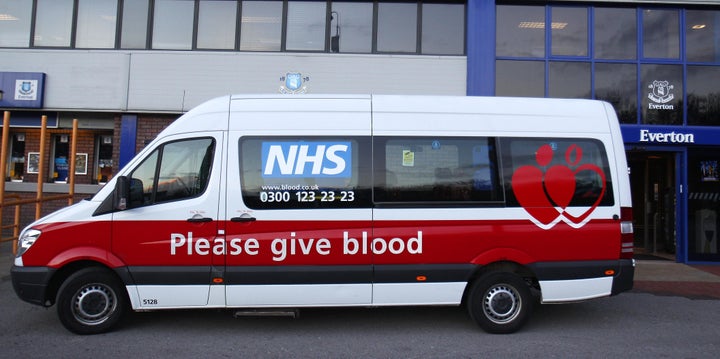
column 653, row 184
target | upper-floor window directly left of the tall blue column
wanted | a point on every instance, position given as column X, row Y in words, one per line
column 443, row 26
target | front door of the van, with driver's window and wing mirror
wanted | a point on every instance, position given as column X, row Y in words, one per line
column 167, row 235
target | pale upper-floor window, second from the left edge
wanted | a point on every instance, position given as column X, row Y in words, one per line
column 53, row 23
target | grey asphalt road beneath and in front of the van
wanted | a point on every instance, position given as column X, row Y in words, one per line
column 629, row 325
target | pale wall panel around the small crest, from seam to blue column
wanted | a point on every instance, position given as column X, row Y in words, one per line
column 178, row 81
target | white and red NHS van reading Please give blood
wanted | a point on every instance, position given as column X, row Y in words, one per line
column 309, row 201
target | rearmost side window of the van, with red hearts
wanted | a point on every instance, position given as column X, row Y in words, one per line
column 569, row 172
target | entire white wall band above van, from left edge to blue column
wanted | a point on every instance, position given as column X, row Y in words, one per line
column 175, row 81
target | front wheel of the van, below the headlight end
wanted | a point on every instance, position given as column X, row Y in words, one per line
column 91, row 301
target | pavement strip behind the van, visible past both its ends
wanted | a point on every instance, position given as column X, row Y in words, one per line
column 656, row 276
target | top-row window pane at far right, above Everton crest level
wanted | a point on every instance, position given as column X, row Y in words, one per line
column 702, row 35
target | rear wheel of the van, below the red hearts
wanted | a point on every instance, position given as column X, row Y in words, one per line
column 500, row 302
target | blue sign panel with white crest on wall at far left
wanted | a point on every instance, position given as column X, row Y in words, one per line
column 22, row 89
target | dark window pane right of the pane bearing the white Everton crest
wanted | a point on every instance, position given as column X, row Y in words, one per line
column 703, row 95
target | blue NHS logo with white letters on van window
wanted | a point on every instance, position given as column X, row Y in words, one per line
column 306, row 159
